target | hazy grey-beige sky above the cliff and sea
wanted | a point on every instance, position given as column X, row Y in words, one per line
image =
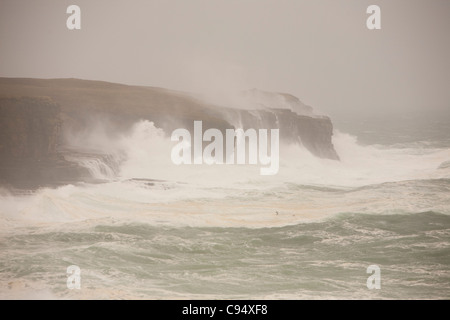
column 320, row 51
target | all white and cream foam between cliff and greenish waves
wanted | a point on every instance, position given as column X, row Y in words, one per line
column 229, row 196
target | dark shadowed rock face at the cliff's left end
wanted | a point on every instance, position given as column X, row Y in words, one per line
column 29, row 134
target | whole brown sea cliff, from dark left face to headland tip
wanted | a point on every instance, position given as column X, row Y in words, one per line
column 31, row 128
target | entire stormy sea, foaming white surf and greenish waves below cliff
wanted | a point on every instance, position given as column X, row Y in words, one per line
column 159, row 231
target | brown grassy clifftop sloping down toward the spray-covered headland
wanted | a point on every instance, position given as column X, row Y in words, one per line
column 80, row 100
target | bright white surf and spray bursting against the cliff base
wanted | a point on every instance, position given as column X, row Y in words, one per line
column 148, row 156
